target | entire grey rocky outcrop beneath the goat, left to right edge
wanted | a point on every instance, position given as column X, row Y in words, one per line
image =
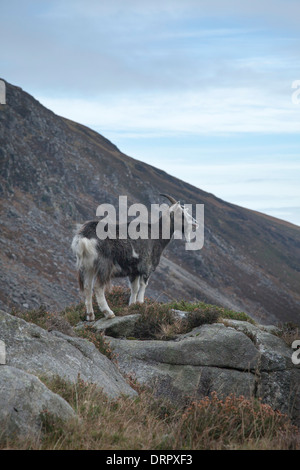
column 229, row 357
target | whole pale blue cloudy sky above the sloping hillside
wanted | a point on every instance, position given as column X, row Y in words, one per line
column 207, row 90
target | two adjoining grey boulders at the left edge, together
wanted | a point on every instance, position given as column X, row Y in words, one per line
column 32, row 352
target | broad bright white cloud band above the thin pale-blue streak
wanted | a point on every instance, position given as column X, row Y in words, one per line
column 217, row 111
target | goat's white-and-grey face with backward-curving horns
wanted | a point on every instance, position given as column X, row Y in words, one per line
column 183, row 220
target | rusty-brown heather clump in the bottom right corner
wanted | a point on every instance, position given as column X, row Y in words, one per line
column 232, row 422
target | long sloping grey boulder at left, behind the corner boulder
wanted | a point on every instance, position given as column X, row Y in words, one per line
column 36, row 351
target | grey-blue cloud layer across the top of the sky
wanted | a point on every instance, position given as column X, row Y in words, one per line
column 83, row 47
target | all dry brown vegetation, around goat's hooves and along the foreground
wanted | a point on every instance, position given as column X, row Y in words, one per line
column 148, row 422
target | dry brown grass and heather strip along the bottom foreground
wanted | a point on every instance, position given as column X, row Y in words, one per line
column 148, row 422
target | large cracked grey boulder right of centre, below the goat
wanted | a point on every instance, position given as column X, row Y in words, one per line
column 211, row 357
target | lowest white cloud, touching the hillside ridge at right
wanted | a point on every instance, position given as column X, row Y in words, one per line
column 268, row 187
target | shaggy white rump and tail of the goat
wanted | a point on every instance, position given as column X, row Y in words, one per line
column 86, row 255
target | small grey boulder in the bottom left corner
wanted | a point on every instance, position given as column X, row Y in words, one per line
column 23, row 400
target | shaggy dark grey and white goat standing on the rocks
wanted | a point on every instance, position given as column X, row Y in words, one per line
column 98, row 261
